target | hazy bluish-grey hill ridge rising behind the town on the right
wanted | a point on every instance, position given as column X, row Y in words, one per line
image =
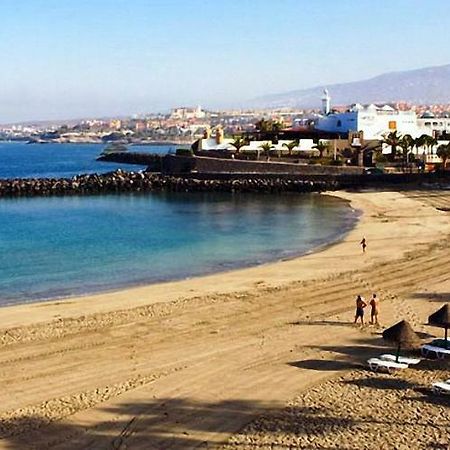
column 421, row 86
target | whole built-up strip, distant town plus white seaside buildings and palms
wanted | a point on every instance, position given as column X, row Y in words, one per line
column 414, row 136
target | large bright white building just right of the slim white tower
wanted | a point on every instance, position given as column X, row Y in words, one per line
column 374, row 121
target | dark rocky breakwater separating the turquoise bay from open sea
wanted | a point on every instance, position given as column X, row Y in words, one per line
column 121, row 181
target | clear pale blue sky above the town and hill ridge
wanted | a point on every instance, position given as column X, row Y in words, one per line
column 64, row 59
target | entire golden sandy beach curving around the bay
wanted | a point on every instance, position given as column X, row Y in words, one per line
column 192, row 363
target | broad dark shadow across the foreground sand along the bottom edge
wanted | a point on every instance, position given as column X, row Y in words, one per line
column 161, row 423
